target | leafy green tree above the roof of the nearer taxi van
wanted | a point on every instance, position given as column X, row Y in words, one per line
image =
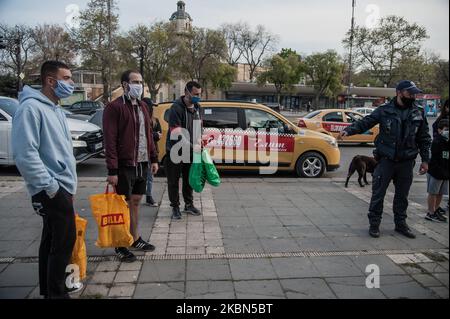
column 284, row 70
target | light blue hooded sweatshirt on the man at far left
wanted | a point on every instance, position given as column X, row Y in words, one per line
column 42, row 145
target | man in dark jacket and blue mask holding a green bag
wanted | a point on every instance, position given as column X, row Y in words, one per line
column 183, row 138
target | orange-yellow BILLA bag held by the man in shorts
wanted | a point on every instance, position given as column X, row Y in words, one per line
column 113, row 220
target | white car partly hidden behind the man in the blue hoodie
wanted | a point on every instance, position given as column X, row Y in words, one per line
column 87, row 138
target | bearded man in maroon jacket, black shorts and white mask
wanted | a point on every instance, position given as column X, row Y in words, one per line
column 129, row 148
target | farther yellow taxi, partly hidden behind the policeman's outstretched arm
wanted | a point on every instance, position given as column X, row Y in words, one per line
column 333, row 121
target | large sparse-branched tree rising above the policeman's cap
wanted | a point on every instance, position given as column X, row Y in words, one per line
column 381, row 49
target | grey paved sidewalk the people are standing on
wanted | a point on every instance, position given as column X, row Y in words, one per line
column 258, row 238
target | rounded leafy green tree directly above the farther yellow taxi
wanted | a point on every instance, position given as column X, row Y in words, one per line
column 325, row 73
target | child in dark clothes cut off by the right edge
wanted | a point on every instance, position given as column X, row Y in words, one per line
column 437, row 176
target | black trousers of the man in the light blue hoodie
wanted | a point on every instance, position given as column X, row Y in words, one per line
column 57, row 242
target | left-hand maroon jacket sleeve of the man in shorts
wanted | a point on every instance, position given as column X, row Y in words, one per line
column 110, row 133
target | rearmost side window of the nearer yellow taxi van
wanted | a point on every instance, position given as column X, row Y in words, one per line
column 220, row 117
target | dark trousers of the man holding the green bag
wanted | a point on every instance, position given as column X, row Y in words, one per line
column 173, row 173
